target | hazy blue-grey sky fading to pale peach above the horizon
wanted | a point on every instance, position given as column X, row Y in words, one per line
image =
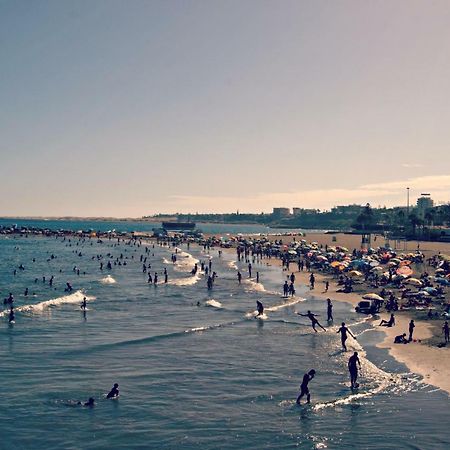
column 130, row 108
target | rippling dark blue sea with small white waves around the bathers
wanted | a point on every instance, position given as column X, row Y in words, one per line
column 195, row 368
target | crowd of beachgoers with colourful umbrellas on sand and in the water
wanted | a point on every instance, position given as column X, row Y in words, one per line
column 382, row 269
